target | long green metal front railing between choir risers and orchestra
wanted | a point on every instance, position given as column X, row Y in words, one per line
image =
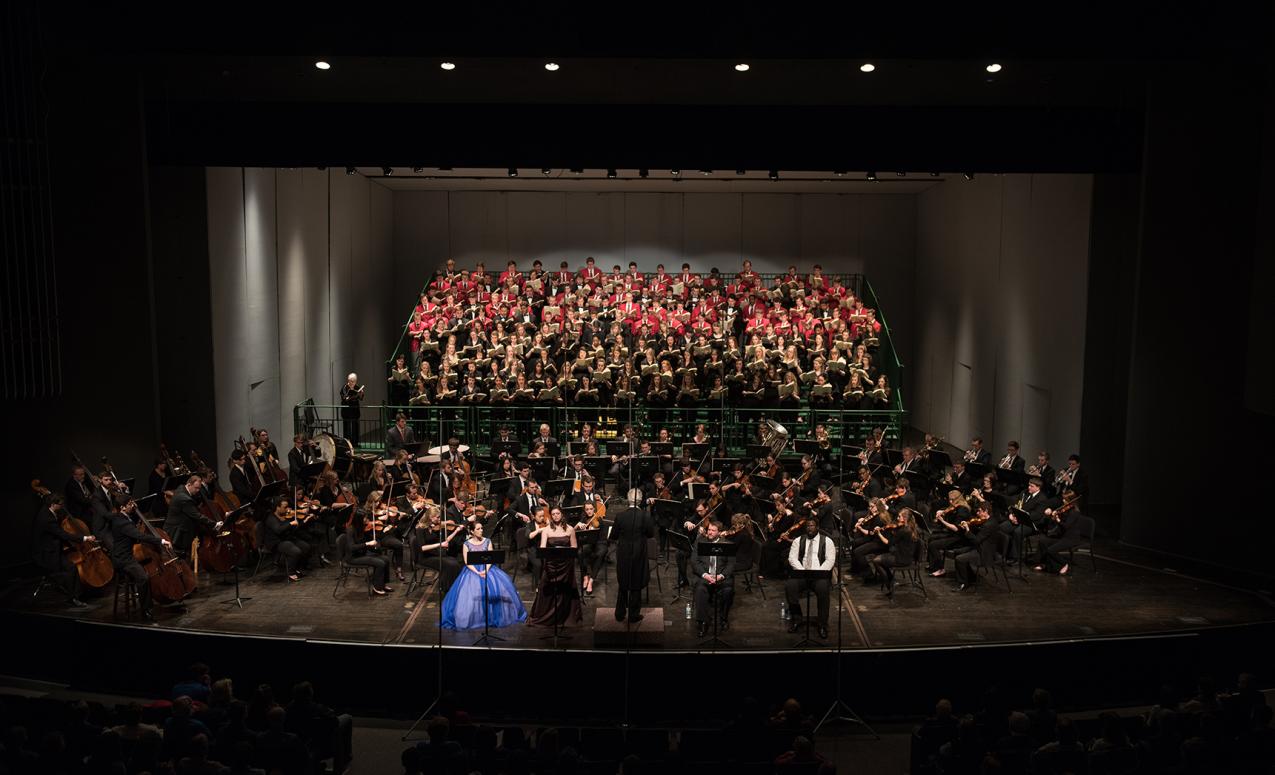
column 477, row 425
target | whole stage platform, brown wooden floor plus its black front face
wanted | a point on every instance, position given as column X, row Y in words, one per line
column 1106, row 637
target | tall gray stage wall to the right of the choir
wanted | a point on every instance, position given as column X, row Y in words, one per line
column 999, row 312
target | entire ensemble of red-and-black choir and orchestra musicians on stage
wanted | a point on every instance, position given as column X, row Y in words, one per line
column 669, row 344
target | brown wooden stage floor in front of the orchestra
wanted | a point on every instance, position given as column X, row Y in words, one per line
column 1132, row 595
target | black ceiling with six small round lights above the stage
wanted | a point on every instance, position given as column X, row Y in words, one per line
column 238, row 86
